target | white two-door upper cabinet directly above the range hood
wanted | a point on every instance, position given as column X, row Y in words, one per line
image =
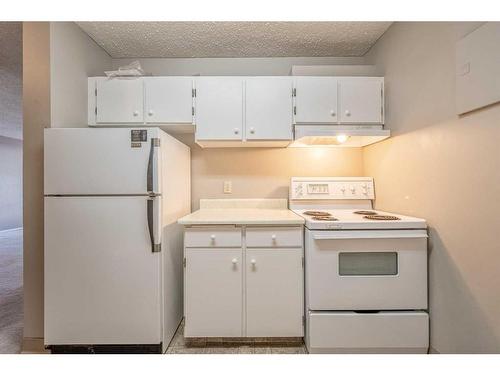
column 339, row 100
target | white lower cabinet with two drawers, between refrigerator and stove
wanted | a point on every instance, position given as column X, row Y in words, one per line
column 243, row 291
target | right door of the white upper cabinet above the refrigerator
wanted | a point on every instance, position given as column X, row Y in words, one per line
column 168, row 100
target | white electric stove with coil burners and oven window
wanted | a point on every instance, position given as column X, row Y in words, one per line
column 366, row 270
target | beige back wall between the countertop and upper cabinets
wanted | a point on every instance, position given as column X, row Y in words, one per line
column 265, row 173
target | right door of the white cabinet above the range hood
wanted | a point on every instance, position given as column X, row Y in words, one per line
column 361, row 100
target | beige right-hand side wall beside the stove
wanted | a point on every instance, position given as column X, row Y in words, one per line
column 445, row 169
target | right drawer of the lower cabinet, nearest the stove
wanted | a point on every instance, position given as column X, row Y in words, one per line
column 274, row 237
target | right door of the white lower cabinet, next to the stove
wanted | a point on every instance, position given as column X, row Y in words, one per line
column 274, row 293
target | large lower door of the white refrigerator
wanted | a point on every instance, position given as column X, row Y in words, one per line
column 102, row 280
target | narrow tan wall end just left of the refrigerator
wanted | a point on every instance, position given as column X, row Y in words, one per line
column 36, row 116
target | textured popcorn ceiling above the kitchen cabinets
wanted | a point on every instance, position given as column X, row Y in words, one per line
column 234, row 39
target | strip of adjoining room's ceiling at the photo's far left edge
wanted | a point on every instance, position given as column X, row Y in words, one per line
column 11, row 116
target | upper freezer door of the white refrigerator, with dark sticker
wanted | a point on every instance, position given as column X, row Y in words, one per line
column 101, row 161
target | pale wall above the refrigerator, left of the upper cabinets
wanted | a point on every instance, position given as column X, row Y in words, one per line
column 73, row 58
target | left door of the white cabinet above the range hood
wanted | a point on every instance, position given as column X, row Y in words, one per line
column 316, row 100
